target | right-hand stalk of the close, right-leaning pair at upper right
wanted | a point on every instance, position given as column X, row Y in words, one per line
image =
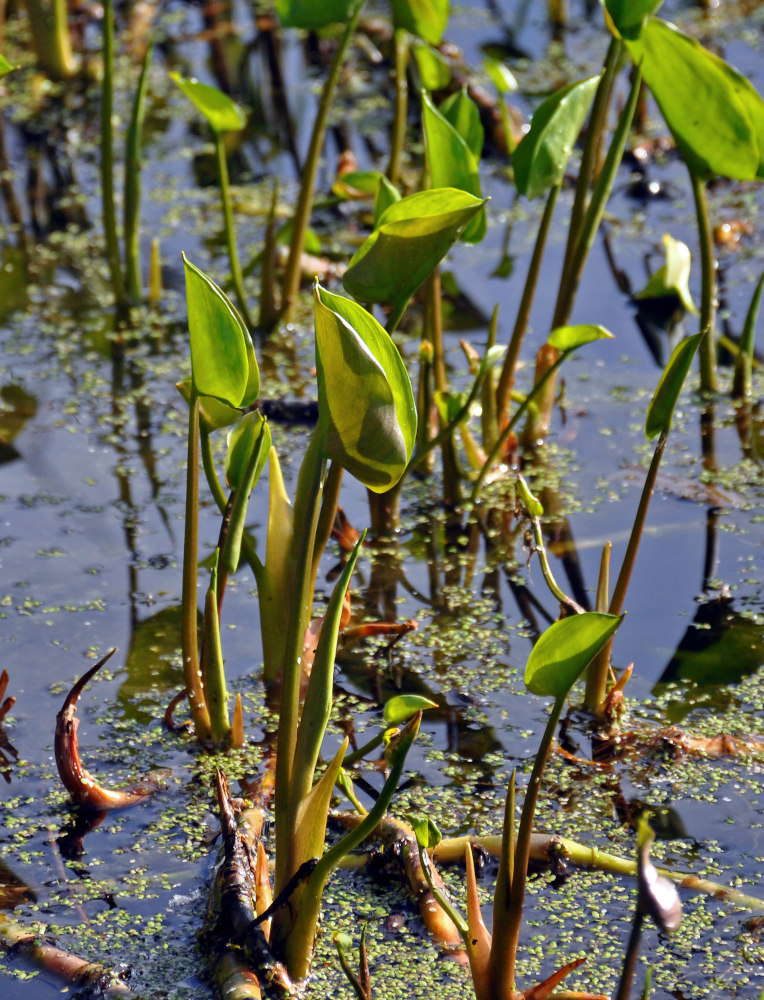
column 596, row 209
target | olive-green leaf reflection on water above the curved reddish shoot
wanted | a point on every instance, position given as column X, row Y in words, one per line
column 152, row 662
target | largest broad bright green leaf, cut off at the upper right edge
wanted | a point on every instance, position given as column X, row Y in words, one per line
column 715, row 115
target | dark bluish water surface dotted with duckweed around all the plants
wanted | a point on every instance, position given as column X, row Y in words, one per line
column 91, row 522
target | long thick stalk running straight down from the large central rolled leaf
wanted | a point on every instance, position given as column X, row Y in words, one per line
column 306, row 510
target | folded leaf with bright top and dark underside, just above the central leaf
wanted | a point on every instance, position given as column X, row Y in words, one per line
column 412, row 237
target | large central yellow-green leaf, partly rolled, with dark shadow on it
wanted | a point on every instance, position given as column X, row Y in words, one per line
column 366, row 405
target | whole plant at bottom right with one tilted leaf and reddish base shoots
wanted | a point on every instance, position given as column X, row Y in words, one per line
column 558, row 659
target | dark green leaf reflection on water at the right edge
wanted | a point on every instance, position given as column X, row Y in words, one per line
column 722, row 646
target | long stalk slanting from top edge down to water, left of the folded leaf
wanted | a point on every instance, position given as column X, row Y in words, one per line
column 291, row 285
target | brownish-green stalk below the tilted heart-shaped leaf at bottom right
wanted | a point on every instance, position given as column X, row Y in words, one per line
column 506, row 937
